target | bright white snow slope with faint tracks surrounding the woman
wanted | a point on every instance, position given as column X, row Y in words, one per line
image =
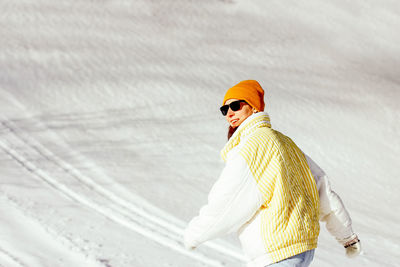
column 110, row 130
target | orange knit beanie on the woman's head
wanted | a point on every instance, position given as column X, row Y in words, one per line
column 250, row 91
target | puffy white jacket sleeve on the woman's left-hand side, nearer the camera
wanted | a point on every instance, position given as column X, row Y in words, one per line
column 232, row 201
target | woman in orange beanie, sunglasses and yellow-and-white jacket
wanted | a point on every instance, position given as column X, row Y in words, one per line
column 269, row 192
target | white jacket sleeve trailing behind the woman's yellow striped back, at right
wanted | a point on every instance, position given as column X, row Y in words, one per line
column 332, row 210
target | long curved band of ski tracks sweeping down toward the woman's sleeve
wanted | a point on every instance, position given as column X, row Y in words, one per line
column 147, row 222
